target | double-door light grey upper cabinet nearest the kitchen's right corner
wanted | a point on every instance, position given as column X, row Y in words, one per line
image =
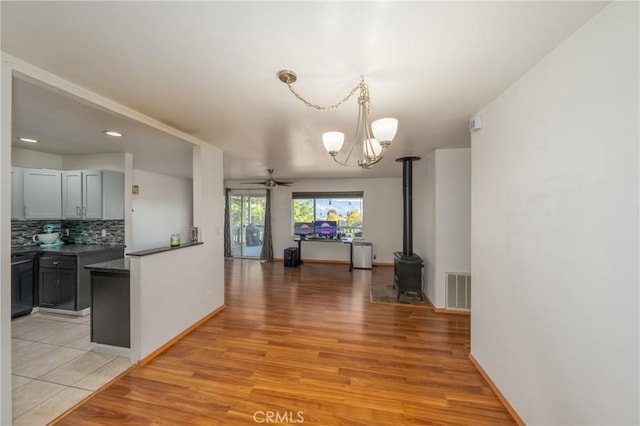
column 92, row 194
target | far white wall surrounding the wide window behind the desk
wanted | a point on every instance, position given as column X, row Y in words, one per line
column 382, row 215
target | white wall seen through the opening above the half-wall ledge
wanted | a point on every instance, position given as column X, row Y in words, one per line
column 163, row 207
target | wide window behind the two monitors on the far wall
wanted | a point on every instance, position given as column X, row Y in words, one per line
column 343, row 207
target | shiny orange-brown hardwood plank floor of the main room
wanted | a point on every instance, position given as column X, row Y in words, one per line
column 305, row 346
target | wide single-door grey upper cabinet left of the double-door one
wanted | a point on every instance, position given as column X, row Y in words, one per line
column 42, row 194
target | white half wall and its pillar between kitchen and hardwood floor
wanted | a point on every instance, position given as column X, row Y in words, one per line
column 173, row 290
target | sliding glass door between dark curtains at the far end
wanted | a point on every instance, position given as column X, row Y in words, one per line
column 247, row 223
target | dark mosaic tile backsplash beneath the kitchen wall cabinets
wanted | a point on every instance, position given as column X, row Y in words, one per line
column 80, row 231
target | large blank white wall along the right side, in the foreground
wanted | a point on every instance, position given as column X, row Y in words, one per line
column 555, row 215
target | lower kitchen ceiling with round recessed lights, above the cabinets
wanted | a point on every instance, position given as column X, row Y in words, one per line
column 66, row 125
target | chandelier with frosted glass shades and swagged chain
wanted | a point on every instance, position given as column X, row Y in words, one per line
column 372, row 138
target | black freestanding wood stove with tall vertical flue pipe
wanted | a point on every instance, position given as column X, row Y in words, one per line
column 407, row 266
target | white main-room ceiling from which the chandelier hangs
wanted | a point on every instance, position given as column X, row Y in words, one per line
column 209, row 70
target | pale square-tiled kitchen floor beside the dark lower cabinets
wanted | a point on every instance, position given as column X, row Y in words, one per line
column 53, row 366
